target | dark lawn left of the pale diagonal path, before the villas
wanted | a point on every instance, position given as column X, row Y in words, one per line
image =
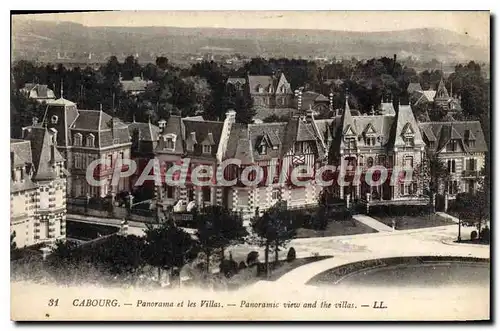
column 336, row 228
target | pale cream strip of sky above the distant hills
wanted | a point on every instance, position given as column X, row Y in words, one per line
column 475, row 24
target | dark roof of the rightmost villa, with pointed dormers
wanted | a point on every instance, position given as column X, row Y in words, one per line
column 444, row 131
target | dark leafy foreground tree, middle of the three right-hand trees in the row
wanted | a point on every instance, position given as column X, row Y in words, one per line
column 217, row 228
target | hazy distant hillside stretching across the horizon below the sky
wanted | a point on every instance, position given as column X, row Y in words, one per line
column 35, row 37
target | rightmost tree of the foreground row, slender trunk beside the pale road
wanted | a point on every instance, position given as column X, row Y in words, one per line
column 275, row 228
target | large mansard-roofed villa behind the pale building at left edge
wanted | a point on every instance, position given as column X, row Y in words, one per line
column 83, row 136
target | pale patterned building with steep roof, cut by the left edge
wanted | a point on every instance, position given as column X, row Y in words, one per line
column 38, row 189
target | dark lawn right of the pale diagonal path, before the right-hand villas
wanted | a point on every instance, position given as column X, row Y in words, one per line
column 407, row 222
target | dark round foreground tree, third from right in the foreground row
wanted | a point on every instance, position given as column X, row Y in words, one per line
column 169, row 248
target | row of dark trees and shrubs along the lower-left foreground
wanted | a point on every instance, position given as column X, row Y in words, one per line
column 168, row 247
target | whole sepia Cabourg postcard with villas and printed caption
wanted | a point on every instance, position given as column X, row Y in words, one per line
column 250, row 165
